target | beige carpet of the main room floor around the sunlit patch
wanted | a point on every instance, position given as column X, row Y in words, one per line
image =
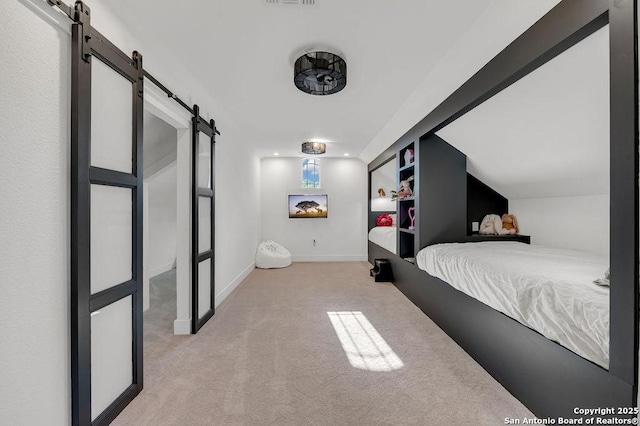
column 271, row 356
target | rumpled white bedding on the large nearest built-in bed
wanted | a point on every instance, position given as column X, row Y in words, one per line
column 549, row 290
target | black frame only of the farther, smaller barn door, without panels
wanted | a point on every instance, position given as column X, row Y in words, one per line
column 209, row 129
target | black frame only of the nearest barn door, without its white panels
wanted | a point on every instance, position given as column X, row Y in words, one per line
column 88, row 45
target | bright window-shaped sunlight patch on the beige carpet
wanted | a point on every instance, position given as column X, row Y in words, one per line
column 362, row 343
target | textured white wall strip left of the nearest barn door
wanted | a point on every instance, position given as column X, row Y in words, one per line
column 34, row 217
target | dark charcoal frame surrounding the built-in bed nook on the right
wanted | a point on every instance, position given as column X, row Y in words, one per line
column 548, row 378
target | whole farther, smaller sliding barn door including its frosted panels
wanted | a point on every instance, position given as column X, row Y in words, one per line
column 202, row 221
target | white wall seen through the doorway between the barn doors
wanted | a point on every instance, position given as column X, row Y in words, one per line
column 162, row 222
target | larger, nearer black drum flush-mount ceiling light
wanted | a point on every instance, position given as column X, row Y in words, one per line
column 320, row 73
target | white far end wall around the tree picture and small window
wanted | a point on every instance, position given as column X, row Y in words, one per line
column 342, row 236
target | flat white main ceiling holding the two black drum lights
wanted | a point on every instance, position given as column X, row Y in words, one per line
column 242, row 53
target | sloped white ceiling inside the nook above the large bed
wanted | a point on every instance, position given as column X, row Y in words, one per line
column 547, row 135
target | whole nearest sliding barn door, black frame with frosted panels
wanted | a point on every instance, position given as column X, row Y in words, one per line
column 106, row 226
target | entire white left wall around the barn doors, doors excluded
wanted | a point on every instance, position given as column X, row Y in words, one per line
column 34, row 200
